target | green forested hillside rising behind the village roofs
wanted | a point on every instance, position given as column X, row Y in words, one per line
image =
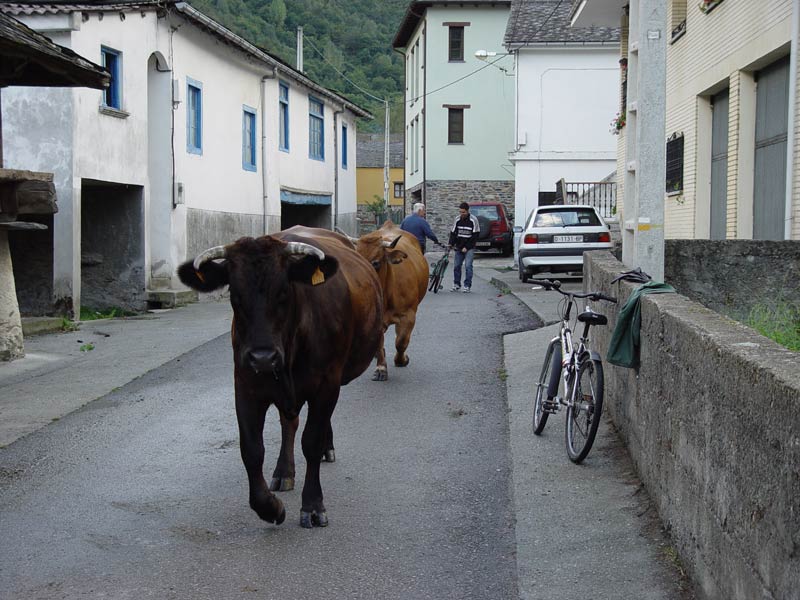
column 355, row 36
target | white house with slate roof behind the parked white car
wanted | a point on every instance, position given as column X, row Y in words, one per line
column 567, row 93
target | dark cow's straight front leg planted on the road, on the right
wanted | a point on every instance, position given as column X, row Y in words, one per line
column 313, row 513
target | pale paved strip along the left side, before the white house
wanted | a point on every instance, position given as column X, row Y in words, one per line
column 63, row 371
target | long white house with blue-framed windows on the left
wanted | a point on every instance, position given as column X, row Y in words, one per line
column 202, row 138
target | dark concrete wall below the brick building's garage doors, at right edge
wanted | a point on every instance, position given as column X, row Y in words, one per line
column 733, row 276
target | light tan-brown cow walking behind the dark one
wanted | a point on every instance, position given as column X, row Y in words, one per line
column 403, row 272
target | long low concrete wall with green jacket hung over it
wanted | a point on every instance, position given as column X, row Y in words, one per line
column 711, row 420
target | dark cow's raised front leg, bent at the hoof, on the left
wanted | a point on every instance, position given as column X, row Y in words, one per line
column 250, row 413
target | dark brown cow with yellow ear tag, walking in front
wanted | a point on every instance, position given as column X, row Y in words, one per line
column 307, row 314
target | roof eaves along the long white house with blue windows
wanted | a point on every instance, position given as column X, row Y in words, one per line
column 201, row 21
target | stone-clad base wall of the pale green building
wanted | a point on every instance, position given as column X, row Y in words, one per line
column 443, row 197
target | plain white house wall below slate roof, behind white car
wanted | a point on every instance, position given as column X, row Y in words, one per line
column 566, row 99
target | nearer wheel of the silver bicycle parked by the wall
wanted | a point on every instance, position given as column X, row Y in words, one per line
column 583, row 417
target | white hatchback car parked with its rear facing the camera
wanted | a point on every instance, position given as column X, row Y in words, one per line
column 555, row 238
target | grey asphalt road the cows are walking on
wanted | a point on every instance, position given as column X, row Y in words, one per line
column 142, row 494
